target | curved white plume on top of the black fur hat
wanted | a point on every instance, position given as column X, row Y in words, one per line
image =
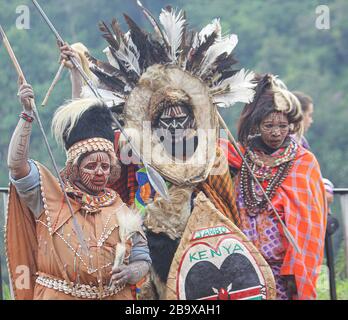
column 66, row 117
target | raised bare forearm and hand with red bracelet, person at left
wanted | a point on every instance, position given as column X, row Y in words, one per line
column 19, row 146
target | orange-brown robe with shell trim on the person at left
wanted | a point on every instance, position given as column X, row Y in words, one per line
column 49, row 248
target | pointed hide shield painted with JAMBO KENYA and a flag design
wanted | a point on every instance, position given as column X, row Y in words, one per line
column 216, row 261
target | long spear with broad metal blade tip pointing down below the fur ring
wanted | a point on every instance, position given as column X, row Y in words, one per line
column 155, row 178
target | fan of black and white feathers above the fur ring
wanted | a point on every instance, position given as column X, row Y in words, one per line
column 206, row 55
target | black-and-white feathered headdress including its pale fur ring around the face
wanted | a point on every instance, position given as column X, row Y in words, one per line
column 198, row 65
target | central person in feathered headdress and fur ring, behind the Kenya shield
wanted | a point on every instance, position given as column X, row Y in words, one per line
column 166, row 87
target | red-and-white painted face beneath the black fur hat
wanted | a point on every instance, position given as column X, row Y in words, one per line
column 94, row 171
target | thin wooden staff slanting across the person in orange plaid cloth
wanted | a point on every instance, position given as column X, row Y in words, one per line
column 287, row 233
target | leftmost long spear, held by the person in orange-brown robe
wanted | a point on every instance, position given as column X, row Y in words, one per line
column 20, row 73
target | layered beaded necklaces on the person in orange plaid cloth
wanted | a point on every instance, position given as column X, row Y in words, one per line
column 263, row 166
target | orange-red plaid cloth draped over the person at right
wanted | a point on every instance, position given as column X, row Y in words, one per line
column 301, row 198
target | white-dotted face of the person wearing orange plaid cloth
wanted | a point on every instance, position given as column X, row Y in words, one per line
column 274, row 129
